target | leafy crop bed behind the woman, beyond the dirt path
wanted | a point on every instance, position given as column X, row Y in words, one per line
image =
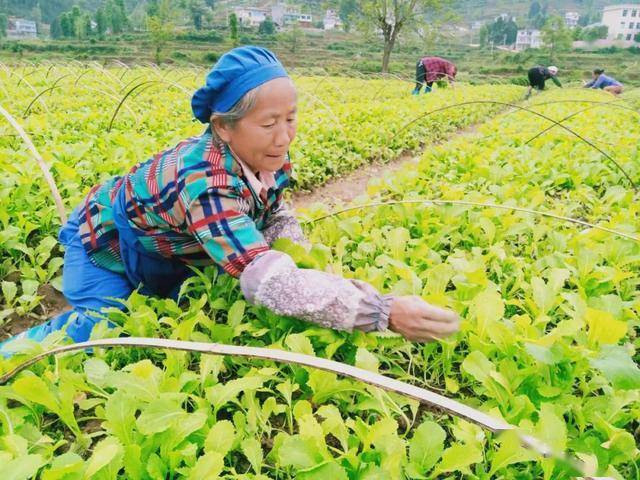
column 90, row 123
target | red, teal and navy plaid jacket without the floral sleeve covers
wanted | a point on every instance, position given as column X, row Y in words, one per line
column 192, row 202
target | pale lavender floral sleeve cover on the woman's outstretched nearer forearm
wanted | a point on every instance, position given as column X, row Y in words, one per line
column 274, row 281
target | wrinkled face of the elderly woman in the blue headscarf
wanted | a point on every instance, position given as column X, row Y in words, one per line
column 262, row 138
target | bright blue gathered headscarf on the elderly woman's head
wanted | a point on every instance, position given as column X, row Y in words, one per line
column 236, row 72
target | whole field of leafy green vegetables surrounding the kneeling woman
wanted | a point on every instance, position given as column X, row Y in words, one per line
column 532, row 236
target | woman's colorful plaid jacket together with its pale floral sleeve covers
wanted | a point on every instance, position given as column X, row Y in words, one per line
column 196, row 202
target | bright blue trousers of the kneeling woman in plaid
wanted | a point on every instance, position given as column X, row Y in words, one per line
column 86, row 287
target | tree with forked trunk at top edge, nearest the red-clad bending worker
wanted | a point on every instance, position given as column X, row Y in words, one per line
column 392, row 17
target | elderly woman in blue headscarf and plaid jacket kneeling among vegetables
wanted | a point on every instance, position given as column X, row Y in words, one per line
column 217, row 199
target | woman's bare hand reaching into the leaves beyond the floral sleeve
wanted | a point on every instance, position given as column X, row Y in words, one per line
column 418, row 321
